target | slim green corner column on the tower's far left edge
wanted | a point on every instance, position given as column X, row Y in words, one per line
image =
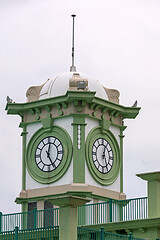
column 24, row 133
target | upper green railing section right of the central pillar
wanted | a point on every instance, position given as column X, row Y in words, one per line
column 113, row 211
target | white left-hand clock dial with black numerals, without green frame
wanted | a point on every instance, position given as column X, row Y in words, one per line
column 49, row 154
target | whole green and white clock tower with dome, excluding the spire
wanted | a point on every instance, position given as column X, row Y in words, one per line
column 72, row 140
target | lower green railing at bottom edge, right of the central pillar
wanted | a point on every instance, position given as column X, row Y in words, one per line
column 85, row 234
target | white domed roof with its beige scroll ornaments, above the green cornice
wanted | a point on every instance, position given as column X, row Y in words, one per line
column 71, row 81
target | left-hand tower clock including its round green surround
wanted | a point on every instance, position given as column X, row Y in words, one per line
column 49, row 154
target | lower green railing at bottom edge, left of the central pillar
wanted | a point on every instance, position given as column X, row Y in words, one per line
column 50, row 233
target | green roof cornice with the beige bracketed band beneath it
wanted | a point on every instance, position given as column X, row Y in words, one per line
column 73, row 102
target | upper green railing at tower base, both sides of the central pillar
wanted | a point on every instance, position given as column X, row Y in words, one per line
column 110, row 211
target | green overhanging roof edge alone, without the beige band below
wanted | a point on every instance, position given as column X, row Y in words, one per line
column 79, row 99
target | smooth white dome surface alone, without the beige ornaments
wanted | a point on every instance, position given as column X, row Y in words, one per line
column 60, row 85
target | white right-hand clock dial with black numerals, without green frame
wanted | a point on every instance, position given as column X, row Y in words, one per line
column 102, row 155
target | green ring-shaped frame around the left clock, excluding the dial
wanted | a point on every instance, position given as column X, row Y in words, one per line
column 34, row 171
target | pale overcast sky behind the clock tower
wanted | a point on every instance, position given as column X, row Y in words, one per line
column 116, row 42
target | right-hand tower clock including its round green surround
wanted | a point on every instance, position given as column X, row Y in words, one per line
column 103, row 156
